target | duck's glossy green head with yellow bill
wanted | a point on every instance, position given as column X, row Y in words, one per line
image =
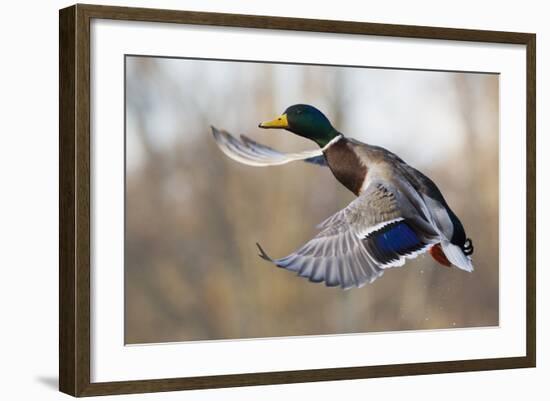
column 306, row 121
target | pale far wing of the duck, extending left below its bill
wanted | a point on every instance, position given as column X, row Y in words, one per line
column 247, row 151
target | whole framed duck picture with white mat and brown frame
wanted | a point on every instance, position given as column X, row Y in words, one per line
column 251, row 200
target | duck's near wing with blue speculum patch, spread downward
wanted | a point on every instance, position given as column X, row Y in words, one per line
column 378, row 230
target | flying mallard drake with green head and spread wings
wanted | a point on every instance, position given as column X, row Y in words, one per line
column 398, row 214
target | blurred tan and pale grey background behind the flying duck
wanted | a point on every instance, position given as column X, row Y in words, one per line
column 193, row 215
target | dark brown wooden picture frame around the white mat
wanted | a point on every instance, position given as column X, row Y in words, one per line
column 74, row 199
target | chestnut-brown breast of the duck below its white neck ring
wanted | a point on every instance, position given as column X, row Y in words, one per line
column 345, row 165
